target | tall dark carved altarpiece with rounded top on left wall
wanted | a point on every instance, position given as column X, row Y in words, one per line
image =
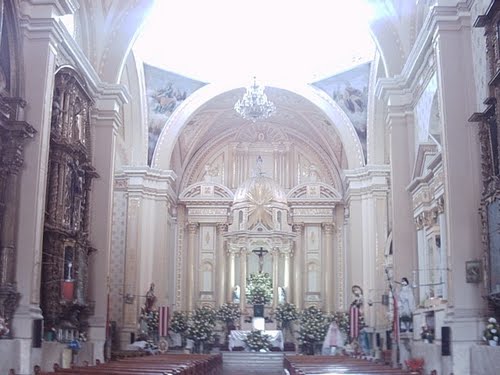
column 66, row 246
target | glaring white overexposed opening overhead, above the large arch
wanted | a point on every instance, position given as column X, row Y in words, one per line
column 226, row 41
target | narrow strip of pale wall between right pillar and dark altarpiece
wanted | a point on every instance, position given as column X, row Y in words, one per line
column 481, row 71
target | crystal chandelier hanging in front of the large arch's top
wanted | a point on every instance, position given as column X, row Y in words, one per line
column 254, row 104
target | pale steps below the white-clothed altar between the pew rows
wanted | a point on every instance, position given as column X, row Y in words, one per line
column 245, row 363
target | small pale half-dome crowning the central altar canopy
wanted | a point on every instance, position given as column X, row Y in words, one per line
column 260, row 190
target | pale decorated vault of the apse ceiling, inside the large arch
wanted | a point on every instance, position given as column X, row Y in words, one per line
column 216, row 123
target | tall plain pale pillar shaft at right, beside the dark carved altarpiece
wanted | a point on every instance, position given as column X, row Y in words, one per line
column 461, row 152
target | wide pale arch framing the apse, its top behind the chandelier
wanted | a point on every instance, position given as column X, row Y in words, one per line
column 176, row 122
